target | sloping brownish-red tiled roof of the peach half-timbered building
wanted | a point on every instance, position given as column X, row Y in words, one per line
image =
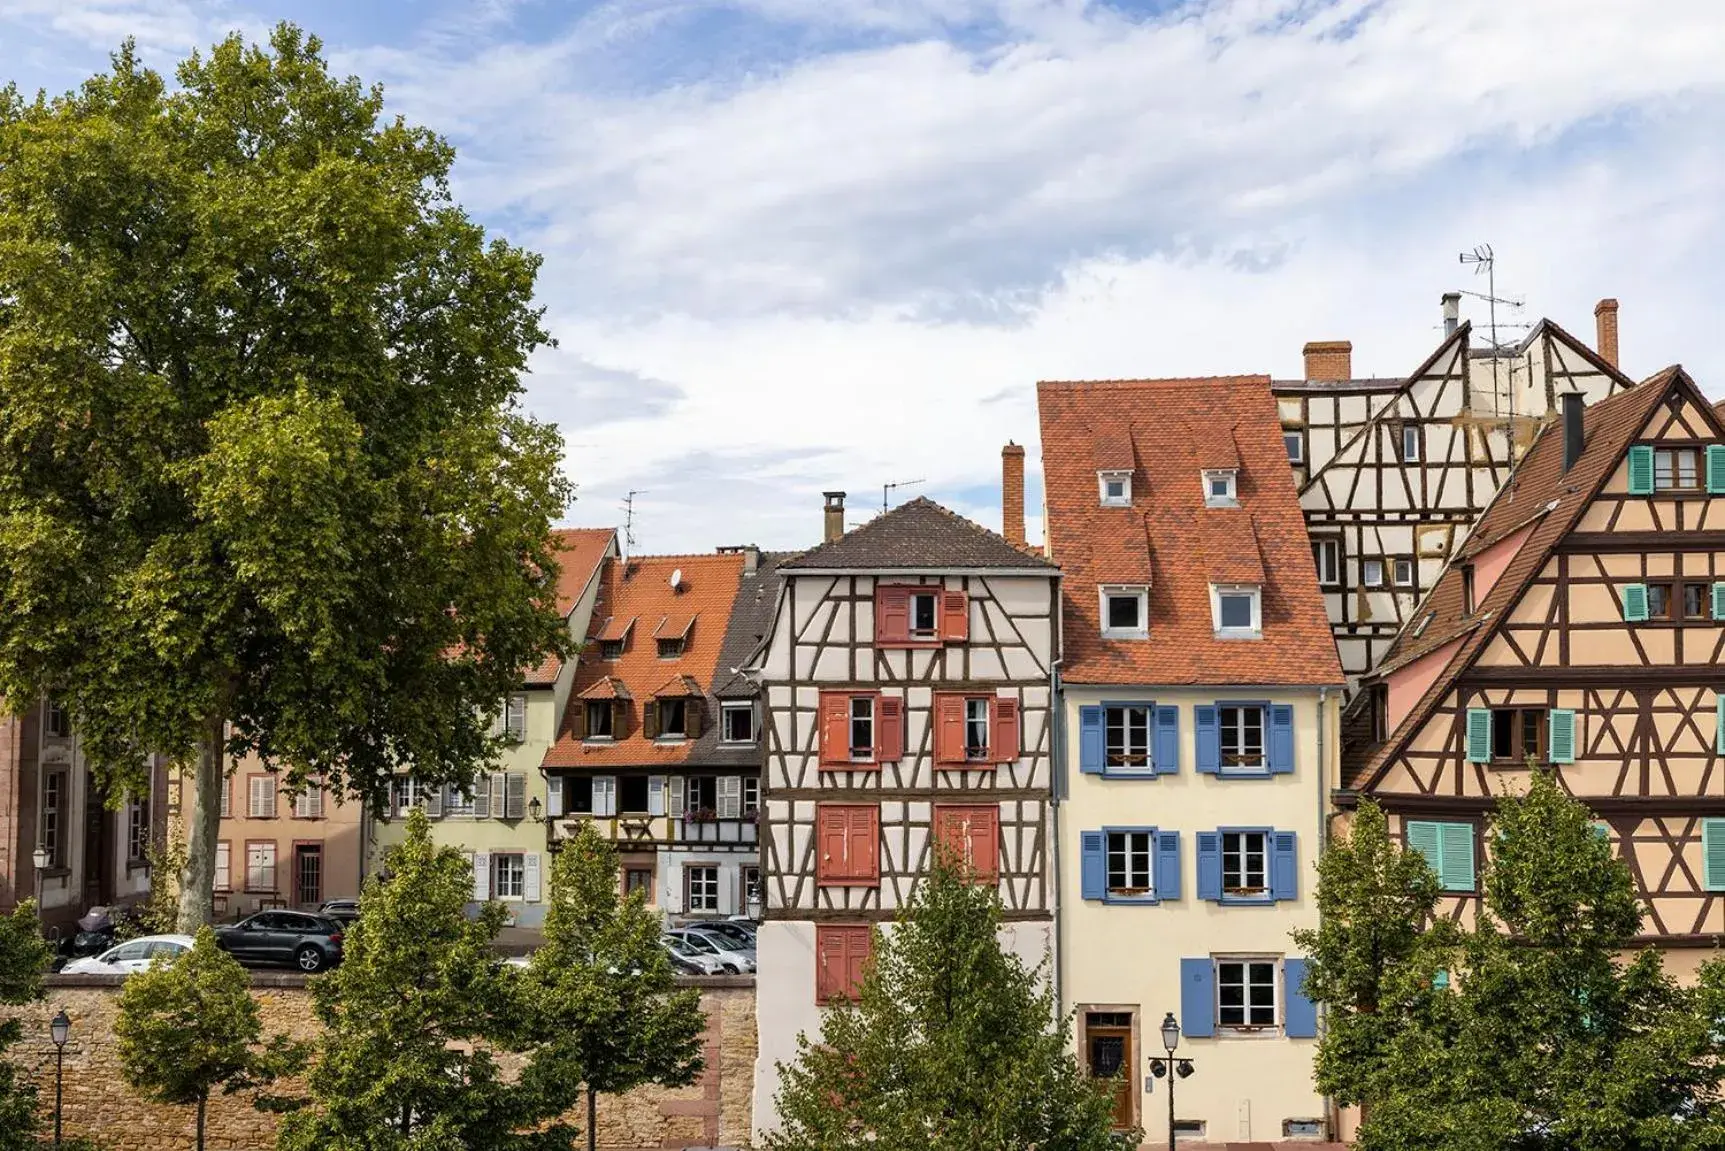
column 1538, row 482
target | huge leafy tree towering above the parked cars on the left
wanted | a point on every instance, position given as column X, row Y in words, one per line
column 265, row 479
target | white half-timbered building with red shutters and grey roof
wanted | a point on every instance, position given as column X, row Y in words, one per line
column 908, row 707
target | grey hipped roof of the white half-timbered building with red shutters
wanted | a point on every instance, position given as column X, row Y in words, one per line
column 919, row 536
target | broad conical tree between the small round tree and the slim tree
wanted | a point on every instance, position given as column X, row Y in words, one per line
column 415, row 1017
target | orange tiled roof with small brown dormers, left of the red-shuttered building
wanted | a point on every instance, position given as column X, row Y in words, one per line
column 641, row 589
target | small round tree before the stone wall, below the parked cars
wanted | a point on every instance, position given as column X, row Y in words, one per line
column 192, row 1026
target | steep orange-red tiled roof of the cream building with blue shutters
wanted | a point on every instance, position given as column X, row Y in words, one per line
column 1265, row 536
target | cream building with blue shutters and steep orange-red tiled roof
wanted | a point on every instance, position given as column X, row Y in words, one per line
column 1200, row 734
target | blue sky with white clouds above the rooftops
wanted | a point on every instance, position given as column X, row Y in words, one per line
column 803, row 246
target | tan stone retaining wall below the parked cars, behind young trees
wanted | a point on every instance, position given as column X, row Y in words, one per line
column 97, row 1105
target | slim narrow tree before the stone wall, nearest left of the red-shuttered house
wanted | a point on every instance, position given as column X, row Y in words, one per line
column 603, row 1009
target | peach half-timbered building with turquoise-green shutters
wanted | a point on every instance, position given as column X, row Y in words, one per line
column 1578, row 632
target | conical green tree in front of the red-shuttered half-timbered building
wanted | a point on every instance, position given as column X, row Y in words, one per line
column 953, row 1045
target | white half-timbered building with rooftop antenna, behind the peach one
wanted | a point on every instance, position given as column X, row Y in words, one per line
column 1395, row 472
